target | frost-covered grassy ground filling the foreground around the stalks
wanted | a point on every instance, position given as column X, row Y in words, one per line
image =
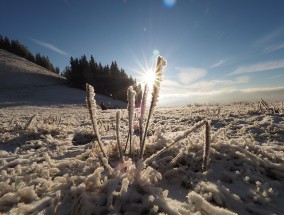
column 48, row 165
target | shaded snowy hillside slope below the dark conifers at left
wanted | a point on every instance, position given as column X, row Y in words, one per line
column 25, row 83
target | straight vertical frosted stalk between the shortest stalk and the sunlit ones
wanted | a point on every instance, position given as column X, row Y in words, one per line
column 130, row 107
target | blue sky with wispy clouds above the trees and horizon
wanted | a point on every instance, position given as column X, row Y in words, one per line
column 217, row 51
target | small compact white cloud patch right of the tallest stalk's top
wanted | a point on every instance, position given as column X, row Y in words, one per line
column 187, row 75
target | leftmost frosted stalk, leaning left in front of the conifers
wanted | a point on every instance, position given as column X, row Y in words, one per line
column 91, row 102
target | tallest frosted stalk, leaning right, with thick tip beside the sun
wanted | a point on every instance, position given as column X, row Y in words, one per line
column 160, row 65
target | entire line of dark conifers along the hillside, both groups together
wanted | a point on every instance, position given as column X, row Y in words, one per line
column 107, row 80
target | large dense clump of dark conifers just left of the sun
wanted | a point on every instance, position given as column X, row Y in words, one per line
column 107, row 80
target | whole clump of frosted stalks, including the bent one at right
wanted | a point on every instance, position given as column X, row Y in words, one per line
column 144, row 123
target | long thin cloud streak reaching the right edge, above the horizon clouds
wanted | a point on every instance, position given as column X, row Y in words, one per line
column 260, row 67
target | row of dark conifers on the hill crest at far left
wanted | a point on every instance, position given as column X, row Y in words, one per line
column 15, row 47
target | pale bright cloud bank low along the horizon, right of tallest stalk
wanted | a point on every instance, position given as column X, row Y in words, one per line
column 173, row 93
